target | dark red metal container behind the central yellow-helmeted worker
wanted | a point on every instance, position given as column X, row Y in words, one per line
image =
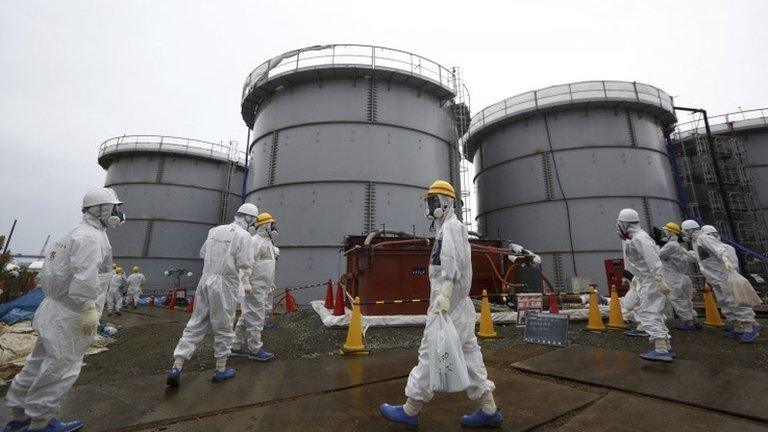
column 396, row 268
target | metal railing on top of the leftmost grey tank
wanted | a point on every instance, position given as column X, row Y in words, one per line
column 171, row 144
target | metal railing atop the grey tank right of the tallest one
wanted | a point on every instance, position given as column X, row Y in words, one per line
column 571, row 93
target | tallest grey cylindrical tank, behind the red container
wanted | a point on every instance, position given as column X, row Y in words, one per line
column 344, row 140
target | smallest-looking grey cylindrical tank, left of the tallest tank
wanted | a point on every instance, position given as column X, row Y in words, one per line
column 174, row 190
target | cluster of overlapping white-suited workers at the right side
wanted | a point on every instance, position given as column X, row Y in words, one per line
column 659, row 278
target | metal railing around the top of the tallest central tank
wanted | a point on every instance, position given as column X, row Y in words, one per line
column 373, row 57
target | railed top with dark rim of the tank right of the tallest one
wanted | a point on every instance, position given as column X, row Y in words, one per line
column 636, row 95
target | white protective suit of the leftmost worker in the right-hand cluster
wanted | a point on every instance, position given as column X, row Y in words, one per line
column 641, row 258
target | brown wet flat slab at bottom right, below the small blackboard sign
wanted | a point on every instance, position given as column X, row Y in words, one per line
column 725, row 389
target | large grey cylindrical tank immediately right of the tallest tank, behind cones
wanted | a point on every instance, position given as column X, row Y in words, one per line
column 553, row 167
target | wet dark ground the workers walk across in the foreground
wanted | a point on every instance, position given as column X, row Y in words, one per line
column 597, row 384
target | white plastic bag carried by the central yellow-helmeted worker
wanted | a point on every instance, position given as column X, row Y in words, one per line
column 447, row 366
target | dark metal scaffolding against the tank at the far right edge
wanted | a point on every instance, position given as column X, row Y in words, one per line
column 705, row 195
